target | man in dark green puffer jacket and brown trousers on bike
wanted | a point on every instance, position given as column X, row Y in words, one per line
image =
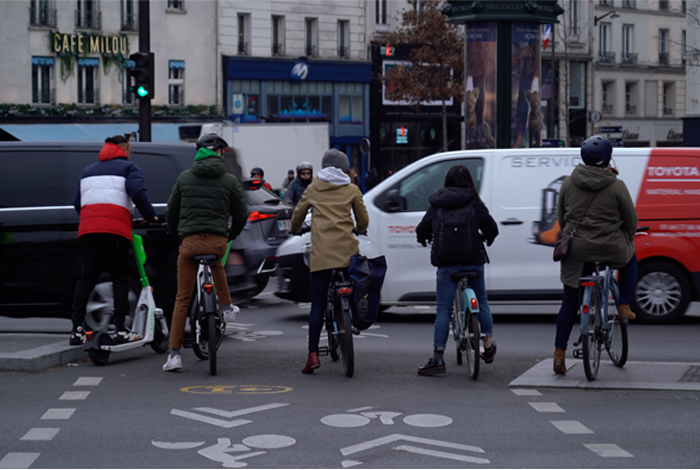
column 198, row 210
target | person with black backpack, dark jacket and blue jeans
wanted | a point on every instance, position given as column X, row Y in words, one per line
column 460, row 248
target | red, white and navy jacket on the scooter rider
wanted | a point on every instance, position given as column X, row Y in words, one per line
column 107, row 192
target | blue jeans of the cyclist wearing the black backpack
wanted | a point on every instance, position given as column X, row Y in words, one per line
column 446, row 289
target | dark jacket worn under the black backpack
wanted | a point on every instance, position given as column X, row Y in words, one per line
column 454, row 198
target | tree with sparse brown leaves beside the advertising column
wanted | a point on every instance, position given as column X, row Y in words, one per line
column 435, row 71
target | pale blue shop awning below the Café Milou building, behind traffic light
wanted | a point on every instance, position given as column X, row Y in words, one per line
column 160, row 132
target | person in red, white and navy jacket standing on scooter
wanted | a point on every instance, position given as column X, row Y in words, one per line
column 105, row 198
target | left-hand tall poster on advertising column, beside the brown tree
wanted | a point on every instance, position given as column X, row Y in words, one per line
column 480, row 93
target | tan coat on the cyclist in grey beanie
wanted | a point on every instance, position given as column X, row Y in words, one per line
column 332, row 241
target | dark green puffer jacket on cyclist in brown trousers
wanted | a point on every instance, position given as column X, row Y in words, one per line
column 204, row 197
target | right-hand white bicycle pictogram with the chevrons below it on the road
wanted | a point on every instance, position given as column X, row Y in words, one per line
column 365, row 415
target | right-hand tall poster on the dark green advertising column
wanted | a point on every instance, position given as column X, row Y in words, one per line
column 526, row 112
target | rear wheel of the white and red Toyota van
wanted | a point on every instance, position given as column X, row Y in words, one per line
column 662, row 294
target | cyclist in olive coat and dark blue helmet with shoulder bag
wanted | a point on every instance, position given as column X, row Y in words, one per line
column 605, row 234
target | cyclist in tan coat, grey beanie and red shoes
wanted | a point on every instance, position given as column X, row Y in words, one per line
column 332, row 198
